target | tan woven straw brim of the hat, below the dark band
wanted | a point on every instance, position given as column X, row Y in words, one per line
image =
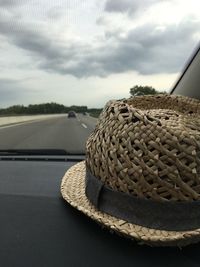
column 73, row 191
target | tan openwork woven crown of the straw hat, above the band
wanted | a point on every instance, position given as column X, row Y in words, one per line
column 148, row 146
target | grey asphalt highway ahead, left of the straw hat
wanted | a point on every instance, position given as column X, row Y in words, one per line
column 65, row 133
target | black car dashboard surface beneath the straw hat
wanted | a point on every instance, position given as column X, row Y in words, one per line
column 38, row 228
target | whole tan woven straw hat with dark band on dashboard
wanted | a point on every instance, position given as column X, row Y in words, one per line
column 141, row 177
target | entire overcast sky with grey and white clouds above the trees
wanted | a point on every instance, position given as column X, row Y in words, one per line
column 85, row 52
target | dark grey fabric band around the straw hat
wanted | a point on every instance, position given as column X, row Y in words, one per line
column 164, row 215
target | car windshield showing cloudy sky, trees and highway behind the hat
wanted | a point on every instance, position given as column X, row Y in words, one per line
column 61, row 61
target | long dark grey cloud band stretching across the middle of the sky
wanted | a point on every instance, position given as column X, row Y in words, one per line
column 145, row 49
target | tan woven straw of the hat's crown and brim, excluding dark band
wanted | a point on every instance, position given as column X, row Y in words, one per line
column 146, row 146
